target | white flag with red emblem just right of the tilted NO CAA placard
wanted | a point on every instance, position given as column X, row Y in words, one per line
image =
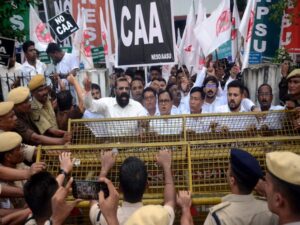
column 81, row 45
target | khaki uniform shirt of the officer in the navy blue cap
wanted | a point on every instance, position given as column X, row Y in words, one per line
column 240, row 210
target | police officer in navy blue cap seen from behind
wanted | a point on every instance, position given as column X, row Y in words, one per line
column 240, row 207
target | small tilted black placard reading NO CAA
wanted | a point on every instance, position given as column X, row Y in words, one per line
column 63, row 25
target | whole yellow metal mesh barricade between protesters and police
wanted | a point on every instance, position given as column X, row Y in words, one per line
column 200, row 147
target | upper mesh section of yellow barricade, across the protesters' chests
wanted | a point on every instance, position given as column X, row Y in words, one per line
column 183, row 128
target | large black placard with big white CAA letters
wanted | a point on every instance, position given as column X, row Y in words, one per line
column 143, row 32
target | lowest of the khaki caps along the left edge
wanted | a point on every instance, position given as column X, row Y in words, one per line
column 9, row 140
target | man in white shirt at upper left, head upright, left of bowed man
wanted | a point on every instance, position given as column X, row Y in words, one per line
column 32, row 66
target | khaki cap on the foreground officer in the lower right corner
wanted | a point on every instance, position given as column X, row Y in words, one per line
column 285, row 166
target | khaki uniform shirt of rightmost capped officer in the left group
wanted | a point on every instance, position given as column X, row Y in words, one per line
column 43, row 116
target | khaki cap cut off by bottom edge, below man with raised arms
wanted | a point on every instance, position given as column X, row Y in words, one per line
column 149, row 215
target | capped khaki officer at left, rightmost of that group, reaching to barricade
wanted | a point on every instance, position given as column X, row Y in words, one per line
column 42, row 114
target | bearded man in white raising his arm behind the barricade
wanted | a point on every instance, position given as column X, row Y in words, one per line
column 120, row 106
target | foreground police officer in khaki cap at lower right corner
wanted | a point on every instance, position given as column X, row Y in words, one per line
column 283, row 186
